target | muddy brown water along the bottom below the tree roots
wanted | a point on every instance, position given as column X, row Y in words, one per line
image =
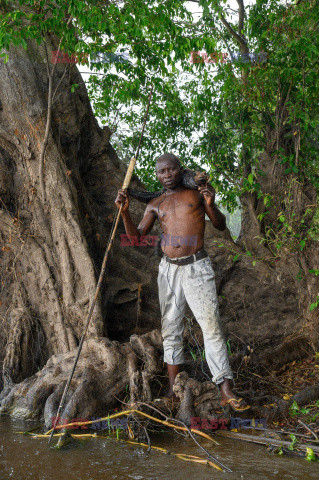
column 23, row 458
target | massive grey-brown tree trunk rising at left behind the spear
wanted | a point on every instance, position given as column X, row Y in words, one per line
column 51, row 250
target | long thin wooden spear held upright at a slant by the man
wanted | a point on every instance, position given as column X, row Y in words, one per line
column 126, row 183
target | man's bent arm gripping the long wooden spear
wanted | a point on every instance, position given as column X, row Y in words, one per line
column 145, row 225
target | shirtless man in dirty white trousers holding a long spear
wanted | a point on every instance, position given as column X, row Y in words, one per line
column 185, row 271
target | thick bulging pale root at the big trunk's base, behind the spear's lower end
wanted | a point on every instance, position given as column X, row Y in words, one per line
column 104, row 371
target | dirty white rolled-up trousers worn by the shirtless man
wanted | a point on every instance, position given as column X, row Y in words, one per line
column 193, row 284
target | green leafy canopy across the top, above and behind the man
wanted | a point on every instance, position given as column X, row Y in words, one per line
column 213, row 115
